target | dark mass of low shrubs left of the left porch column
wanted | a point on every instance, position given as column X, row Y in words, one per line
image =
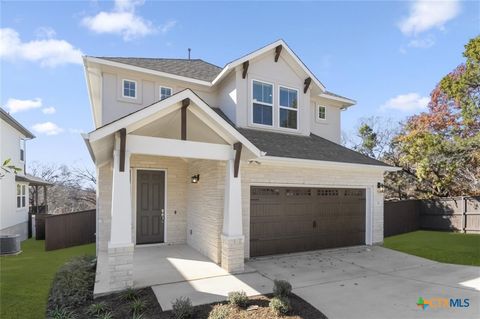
column 73, row 283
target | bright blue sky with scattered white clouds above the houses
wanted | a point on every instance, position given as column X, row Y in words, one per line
column 386, row 55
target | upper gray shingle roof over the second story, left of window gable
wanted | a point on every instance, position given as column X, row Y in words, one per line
column 194, row 68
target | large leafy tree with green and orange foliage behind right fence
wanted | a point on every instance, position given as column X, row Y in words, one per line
column 441, row 147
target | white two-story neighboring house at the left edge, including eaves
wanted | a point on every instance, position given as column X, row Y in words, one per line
column 14, row 201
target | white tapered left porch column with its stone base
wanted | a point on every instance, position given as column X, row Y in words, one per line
column 120, row 246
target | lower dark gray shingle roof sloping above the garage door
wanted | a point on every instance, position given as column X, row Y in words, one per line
column 311, row 147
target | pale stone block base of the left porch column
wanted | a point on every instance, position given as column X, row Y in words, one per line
column 120, row 266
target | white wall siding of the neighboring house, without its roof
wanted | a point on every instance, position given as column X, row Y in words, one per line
column 13, row 220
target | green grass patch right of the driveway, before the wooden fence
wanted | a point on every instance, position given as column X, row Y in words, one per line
column 453, row 248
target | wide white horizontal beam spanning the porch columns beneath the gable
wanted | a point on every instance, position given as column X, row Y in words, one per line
column 157, row 146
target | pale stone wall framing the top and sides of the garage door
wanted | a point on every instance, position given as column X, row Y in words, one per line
column 254, row 174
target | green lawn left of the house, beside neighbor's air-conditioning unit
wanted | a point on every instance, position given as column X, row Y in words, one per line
column 25, row 279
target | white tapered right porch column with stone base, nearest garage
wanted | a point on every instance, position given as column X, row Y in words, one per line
column 232, row 237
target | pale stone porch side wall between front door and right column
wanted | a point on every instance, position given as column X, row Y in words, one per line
column 205, row 207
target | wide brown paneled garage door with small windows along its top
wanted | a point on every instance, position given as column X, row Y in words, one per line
column 285, row 220
